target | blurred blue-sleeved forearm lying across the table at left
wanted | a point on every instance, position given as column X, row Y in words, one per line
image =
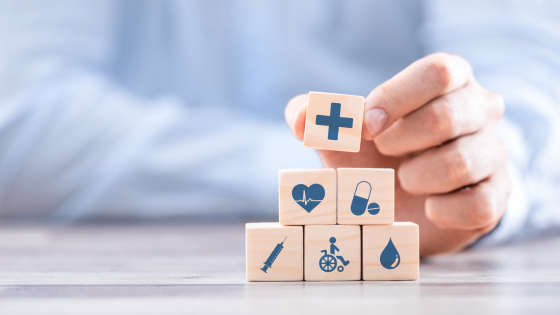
column 86, row 147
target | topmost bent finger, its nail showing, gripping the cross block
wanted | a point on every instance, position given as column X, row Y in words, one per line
column 422, row 81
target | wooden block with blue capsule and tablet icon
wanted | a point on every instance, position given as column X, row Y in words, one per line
column 366, row 196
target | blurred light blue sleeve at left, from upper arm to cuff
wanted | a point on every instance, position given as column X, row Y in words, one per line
column 75, row 142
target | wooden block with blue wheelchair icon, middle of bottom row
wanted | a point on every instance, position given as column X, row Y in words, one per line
column 320, row 243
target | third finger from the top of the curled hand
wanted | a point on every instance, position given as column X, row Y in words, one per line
column 462, row 162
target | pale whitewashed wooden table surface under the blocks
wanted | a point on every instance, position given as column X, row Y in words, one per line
column 200, row 269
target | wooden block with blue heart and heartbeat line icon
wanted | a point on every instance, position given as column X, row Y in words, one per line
column 307, row 196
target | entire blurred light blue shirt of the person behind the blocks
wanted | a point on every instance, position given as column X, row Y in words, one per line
column 162, row 108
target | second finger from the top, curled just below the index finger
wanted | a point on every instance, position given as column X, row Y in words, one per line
column 458, row 113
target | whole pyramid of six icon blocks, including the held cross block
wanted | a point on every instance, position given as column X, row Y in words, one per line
column 335, row 225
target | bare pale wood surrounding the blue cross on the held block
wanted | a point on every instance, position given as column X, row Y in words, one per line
column 315, row 136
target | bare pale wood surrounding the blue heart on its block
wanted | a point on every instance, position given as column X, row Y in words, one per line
column 291, row 213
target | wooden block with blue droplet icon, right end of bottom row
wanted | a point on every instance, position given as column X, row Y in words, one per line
column 391, row 252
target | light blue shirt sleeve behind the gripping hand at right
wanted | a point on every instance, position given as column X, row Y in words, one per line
column 514, row 48
